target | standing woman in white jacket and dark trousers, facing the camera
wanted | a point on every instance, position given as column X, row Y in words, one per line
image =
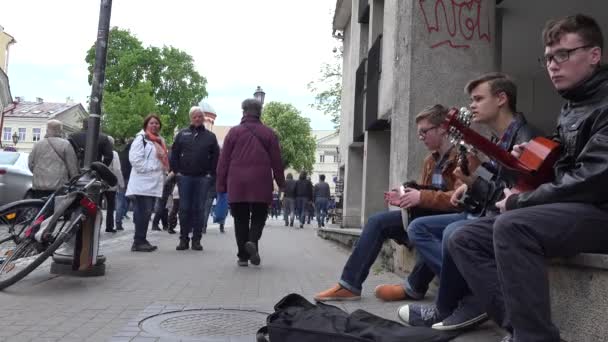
column 149, row 162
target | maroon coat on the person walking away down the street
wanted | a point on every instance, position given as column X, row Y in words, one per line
column 249, row 159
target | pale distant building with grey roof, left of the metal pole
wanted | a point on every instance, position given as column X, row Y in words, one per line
column 28, row 121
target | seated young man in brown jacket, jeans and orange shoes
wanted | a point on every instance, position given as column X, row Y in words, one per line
column 438, row 175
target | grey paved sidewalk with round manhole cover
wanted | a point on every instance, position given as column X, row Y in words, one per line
column 124, row 304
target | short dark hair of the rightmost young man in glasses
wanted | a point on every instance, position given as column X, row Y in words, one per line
column 585, row 26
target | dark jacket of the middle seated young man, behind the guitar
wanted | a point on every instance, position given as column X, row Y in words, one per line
column 486, row 192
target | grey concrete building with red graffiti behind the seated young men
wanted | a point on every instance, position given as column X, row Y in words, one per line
column 401, row 56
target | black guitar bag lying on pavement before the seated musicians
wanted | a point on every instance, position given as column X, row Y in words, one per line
column 297, row 320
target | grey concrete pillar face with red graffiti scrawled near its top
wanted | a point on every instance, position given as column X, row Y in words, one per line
column 437, row 53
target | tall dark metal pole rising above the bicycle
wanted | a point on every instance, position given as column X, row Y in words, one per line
column 101, row 49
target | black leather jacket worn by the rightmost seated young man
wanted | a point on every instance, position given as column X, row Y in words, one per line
column 581, row 173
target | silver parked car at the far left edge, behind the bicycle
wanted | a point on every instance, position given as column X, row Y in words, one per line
column 15, row 177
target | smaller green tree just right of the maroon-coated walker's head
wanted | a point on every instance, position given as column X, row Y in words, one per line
column 297, row 143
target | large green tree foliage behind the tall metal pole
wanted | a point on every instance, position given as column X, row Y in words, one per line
column 141, row 80
